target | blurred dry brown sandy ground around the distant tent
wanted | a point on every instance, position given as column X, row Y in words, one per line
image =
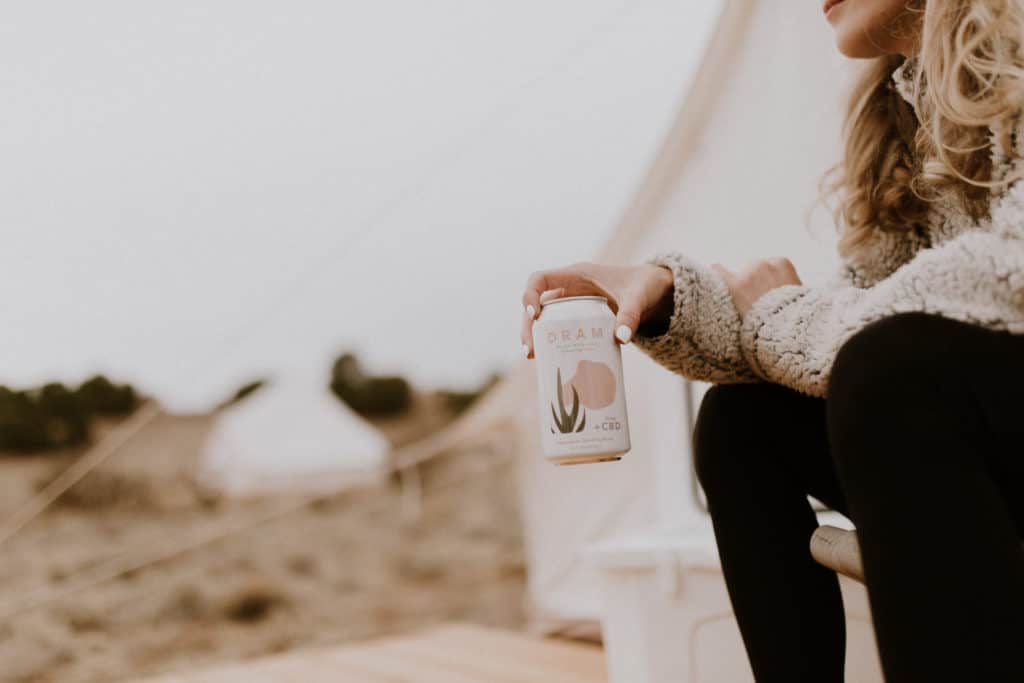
column 353, row 567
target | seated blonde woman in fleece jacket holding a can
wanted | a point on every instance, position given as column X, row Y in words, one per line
column 893, row 393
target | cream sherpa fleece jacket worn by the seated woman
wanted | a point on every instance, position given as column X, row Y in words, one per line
column 953, row 267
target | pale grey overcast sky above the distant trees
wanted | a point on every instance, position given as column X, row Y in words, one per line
column 198, row 194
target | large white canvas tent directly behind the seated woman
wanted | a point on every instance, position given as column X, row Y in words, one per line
column 737, row 179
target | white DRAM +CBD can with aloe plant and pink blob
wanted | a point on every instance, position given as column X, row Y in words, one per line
column 580, row 381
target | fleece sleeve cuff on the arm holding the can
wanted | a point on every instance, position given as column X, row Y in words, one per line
column 702, row 340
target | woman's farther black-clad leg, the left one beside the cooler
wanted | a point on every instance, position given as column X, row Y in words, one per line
column 760, row 450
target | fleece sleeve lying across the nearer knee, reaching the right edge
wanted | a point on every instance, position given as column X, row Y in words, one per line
column 792, row 334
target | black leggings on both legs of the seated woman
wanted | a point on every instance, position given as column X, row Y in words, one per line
column 921, row 444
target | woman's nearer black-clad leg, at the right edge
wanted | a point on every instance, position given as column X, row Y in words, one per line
column 926, row 422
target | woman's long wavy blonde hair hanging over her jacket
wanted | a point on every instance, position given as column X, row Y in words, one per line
column 968, row 90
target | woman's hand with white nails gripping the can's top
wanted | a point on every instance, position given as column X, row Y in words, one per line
column 635, row 293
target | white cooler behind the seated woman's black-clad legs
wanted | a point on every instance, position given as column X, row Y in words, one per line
column 667, row 617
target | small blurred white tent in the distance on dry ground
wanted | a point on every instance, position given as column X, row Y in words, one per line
column 291, row 437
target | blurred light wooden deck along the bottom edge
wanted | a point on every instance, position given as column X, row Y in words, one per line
column 450, row 654
